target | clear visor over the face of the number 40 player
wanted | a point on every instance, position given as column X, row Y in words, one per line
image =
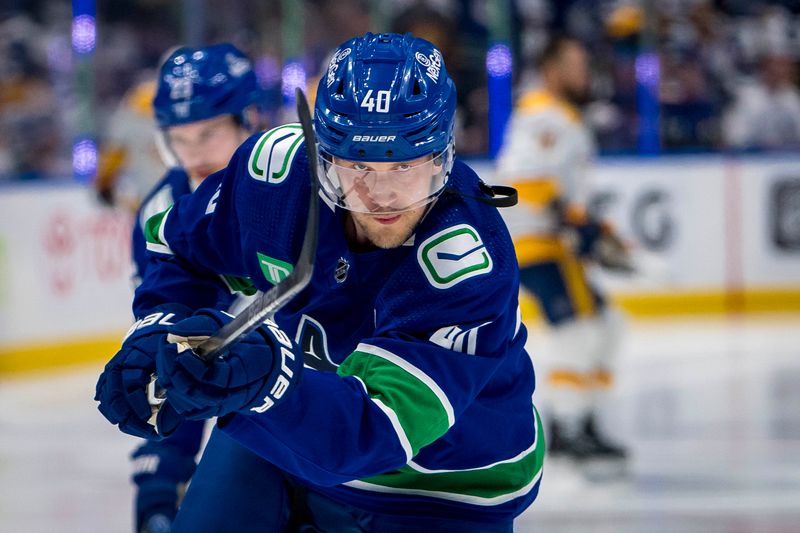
column 384, row 187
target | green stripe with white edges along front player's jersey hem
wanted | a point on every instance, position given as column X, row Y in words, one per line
column 491, row 485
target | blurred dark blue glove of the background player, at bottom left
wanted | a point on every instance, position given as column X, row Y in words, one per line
column 161, row 473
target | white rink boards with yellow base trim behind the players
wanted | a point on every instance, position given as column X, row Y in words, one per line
column 714, row 235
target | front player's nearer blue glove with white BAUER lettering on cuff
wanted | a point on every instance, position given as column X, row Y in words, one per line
column 253, row 375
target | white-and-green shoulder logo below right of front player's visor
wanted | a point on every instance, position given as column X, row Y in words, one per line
column 453, row 255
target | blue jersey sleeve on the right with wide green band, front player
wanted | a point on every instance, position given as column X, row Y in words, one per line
column 434, row 348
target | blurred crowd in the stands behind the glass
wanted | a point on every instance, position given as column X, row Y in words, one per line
column 727, row 69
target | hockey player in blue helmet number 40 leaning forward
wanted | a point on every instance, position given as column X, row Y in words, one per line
column 413, row 411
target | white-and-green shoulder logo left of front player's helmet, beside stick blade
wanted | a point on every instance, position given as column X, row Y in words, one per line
column 272, row 155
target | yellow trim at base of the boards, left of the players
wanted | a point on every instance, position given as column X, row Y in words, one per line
column 49, row 356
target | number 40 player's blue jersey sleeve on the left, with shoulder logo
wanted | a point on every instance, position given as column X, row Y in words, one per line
column 255, row 207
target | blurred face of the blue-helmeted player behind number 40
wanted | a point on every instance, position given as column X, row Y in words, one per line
column 205, row 146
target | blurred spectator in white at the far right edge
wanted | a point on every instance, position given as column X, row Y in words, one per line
column 766, row 110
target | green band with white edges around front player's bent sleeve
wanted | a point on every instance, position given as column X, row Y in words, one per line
column 420, row 411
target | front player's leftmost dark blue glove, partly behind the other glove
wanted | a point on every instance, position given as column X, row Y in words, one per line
column 121, row 389
